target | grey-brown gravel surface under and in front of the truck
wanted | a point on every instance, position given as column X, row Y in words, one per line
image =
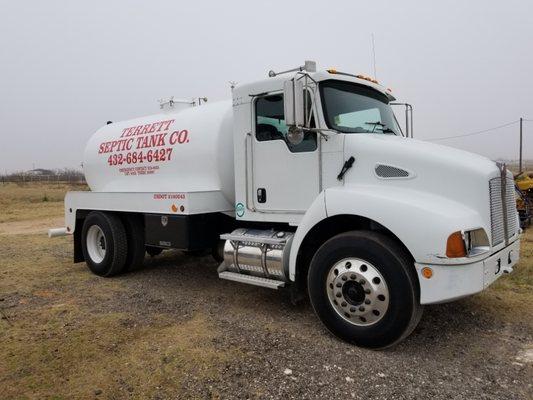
column 455, row 353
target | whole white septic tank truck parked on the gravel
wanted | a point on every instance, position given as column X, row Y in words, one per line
column 302, row 180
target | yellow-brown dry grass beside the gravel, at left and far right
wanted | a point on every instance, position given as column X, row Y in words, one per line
column 57, row 343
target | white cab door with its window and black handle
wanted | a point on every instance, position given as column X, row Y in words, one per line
column 285, row 177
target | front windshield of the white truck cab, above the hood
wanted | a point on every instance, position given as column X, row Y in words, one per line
column 353, row 108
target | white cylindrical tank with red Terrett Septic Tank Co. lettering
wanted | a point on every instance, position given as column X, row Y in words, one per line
column 187, row 150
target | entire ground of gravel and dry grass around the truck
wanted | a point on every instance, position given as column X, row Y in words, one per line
column 173, row 330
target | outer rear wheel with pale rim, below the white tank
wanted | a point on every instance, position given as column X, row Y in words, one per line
column 104, row 243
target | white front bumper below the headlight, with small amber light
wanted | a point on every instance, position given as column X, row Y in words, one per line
column 451, row 282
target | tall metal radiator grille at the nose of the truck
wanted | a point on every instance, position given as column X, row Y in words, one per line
column 497, row 210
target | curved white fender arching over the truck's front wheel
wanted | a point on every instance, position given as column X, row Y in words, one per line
column 421, row 221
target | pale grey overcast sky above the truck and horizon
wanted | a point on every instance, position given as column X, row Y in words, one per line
column 66, row 67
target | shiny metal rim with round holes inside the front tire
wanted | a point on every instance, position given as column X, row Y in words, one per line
column 357, row 291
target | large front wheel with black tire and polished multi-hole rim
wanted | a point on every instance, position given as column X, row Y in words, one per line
column 368, row 314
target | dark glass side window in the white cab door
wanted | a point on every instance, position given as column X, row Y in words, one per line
column 270, row 124
